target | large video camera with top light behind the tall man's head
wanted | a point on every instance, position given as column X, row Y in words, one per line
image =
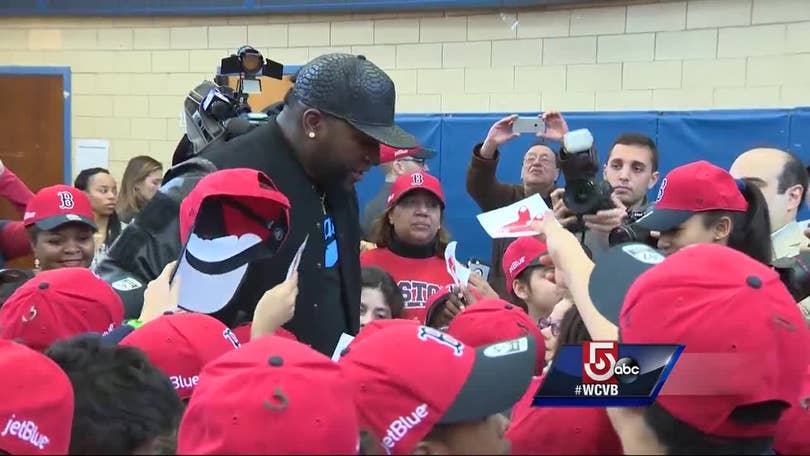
column 216, row 112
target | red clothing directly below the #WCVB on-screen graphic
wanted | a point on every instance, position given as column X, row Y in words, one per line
column 560, row 430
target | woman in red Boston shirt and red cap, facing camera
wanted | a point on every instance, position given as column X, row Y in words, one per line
column 411, row 241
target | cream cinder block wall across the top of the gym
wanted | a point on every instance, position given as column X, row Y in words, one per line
column 130, row 74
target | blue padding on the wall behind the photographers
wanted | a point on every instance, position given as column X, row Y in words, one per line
column 682, row 137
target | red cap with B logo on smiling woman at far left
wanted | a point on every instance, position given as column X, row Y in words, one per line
column 56, row 205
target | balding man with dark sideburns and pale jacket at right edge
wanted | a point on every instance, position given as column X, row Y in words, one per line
column 783, row 180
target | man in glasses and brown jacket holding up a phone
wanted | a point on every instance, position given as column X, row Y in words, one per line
column 538, row 174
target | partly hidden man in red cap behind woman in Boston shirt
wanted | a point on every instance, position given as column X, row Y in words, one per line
column 393, row 163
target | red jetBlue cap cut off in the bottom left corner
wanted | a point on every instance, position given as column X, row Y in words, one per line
column 36, row 413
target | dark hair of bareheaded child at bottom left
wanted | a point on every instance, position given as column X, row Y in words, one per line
column 122, row 401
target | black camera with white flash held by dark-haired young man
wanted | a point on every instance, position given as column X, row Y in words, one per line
column 585, row 191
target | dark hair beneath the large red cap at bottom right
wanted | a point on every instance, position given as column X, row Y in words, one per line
column 680, row 438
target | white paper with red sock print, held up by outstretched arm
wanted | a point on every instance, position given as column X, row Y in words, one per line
column 514, row 220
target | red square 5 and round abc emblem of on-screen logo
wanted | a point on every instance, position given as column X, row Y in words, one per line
column 601, row 364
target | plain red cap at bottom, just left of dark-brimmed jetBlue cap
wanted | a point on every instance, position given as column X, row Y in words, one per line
column 271, row 396
